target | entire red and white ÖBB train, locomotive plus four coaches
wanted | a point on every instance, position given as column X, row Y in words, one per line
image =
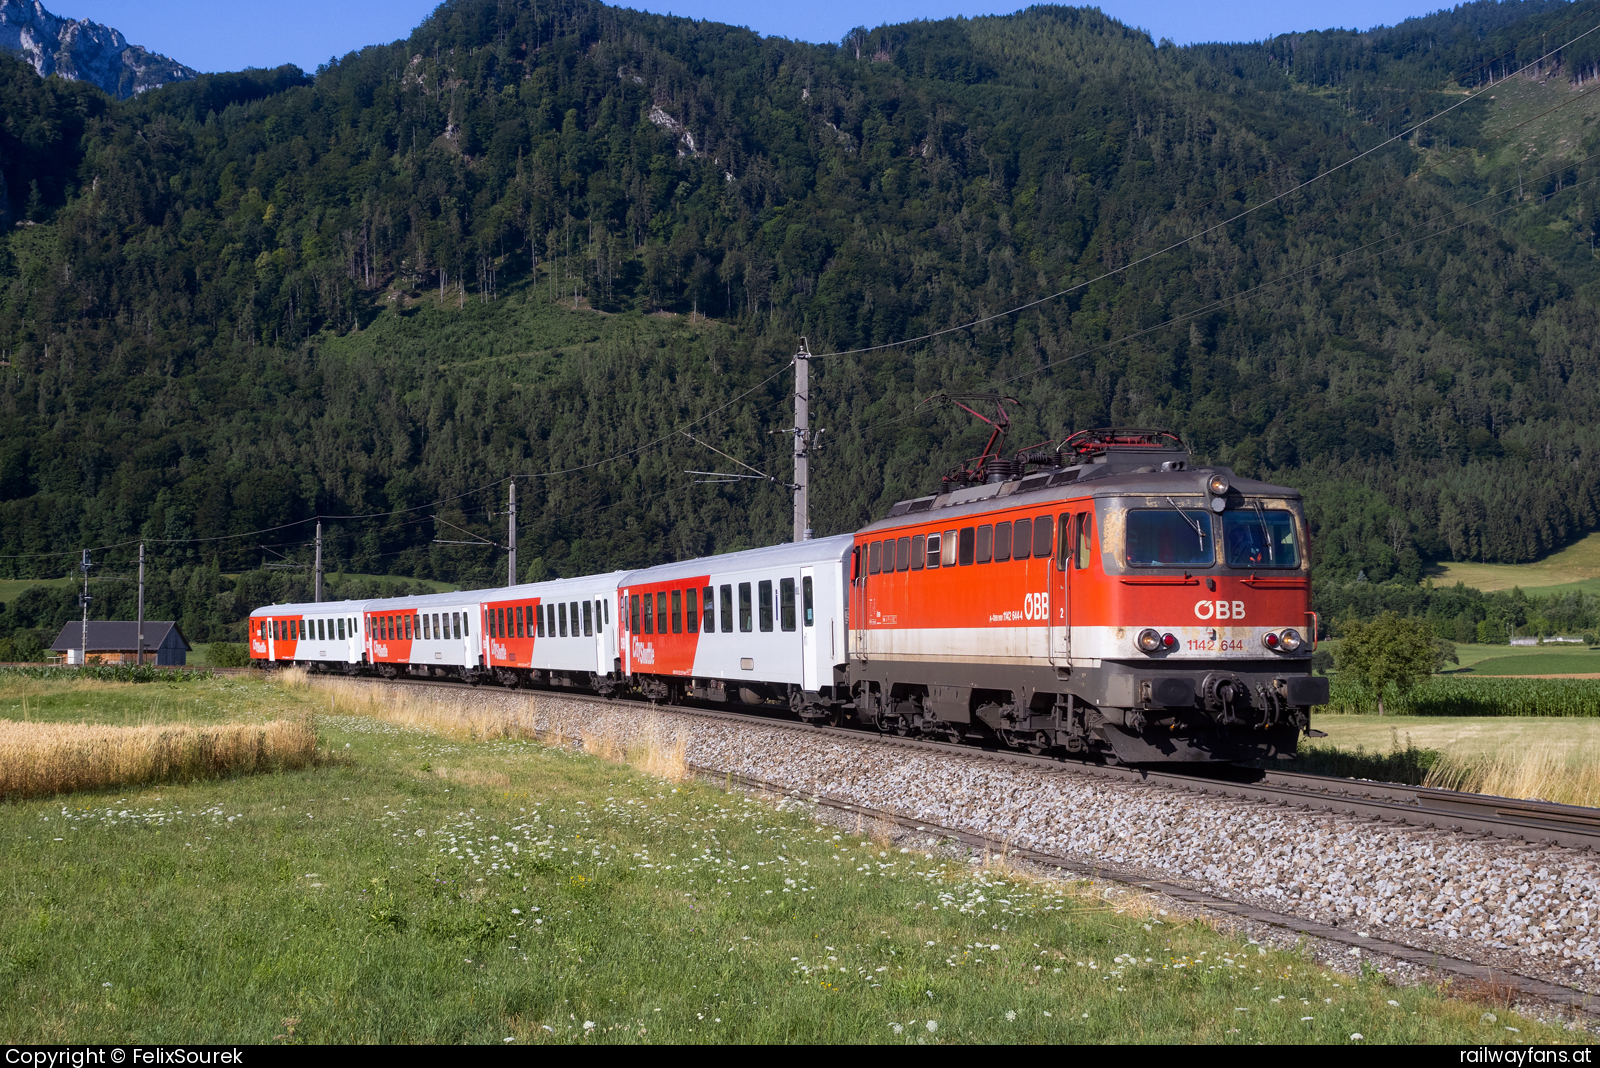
column 1097, row 597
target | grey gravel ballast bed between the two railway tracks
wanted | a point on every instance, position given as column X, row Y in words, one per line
column 1526, row 907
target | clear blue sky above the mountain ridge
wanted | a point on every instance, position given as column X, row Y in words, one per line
column 215, row 36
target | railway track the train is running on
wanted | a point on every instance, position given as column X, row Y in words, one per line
column 1418, row 807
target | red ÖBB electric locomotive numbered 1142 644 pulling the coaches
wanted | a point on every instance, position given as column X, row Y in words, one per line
column 1102, row 596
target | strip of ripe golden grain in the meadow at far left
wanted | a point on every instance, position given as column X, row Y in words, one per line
column 44, row 759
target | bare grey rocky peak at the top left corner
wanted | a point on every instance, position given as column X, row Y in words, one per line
column 84, row 50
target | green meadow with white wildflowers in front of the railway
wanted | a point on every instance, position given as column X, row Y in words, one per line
column 503, row 891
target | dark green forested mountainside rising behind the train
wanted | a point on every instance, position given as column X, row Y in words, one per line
column 537, row 237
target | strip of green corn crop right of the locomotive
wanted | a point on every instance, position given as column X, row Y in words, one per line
column 1454, row 696
